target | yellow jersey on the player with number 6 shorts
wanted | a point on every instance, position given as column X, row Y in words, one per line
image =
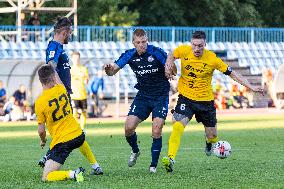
column 196, row 73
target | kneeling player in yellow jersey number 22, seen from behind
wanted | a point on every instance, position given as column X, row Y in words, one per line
column 53, row 111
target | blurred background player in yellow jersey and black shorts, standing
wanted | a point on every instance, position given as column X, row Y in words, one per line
column 79, row 79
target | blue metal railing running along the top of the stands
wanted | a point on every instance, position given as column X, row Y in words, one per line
column 174, row 34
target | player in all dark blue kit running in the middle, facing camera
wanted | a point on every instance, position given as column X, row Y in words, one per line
column 147, row 62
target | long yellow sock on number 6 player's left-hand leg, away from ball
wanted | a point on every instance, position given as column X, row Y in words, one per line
column 174, row 140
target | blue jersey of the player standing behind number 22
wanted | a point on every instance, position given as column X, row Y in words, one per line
column 56, row 53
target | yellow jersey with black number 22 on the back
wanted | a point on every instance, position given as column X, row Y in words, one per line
column 53, row 109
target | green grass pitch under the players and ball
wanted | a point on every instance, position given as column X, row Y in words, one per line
column 257, row 160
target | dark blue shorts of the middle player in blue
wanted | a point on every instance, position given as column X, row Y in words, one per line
column 143, row 105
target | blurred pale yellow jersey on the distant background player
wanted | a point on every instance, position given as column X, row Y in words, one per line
column 79, row 75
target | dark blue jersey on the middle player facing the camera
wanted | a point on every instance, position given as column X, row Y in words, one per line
column 149, row 69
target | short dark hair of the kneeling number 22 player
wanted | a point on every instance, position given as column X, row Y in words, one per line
column 46, row 73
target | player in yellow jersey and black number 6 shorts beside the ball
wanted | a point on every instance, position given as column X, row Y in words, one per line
column 195, row 92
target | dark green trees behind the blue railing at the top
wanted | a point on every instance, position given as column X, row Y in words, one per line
column 203, row 13
